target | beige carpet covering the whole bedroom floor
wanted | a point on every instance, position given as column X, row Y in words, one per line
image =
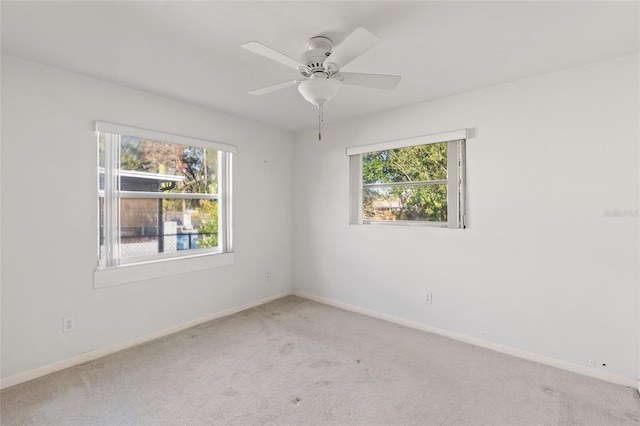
column 296, row 362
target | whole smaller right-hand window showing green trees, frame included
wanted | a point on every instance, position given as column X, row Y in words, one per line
column 418, row 181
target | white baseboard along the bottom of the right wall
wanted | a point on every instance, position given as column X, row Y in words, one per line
column 498, row 347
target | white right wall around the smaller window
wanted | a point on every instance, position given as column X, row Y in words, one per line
column 540, row 267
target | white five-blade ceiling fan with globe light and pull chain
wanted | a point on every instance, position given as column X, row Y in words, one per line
column 320, row 67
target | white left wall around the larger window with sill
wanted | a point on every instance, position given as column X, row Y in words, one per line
column 49, row 217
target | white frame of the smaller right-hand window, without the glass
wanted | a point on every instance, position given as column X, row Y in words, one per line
column 456, row 166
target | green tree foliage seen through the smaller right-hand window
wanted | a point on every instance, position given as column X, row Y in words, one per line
column 403, row 165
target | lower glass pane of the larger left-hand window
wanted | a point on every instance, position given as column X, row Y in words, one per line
column 185, row 225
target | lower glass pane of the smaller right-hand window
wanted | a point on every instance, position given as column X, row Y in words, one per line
column 414, row 203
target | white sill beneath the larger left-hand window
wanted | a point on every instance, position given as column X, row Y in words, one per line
column 107, row 277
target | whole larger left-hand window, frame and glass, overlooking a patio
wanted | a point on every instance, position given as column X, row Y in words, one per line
column 161, row 197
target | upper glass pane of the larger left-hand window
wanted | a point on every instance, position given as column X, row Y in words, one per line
column 156, row 166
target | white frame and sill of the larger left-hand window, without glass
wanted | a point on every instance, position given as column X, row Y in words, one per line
column 114, row 270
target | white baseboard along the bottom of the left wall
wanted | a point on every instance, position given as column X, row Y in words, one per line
column 98, row 353
